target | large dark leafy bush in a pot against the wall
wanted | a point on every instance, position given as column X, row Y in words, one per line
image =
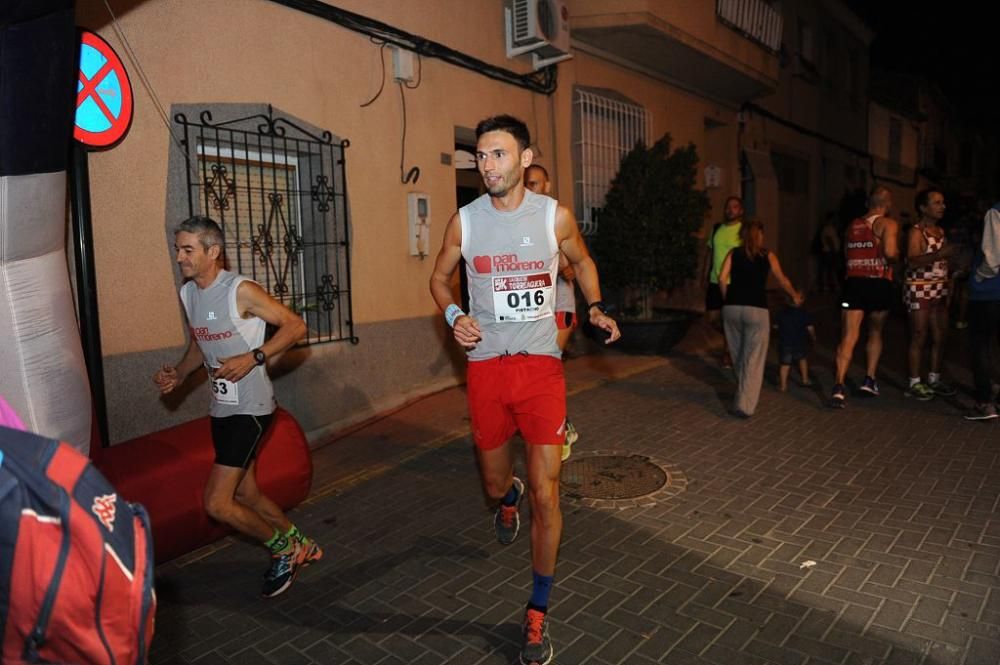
column 646, row 242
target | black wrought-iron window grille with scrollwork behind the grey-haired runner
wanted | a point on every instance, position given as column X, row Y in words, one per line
column 279, row 193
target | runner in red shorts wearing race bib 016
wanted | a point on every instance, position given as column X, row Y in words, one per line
column 511, row 239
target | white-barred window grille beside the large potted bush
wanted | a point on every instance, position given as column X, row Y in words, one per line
column 607, row 129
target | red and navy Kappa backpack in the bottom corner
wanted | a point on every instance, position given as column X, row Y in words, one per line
column 76, row 561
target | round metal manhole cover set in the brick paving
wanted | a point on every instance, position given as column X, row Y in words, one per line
column 612, row 477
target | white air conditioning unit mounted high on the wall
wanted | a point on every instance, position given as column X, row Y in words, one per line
column 539, row 27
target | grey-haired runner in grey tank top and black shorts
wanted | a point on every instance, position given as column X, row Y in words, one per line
column 227, row 314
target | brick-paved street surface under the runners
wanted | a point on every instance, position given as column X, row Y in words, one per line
column 806, row 535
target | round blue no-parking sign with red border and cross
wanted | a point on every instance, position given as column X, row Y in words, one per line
column 103, row 95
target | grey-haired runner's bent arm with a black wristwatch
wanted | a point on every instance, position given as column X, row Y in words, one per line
column 253, row 300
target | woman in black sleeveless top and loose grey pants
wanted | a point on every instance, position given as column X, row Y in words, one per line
column 745, row 319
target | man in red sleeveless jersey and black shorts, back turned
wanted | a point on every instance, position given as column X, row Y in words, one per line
column 870, row 247
